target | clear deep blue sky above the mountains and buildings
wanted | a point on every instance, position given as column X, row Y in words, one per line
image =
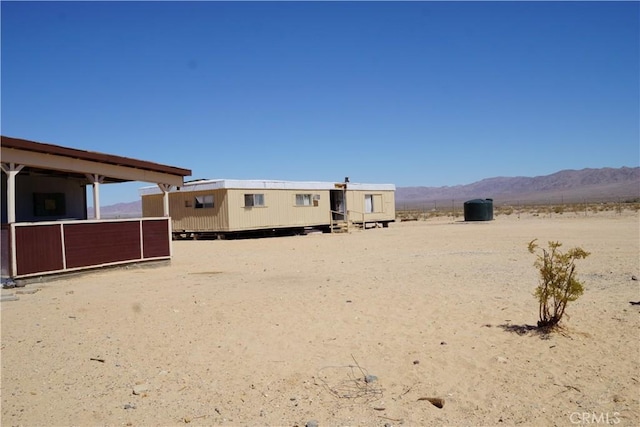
column 409, row 93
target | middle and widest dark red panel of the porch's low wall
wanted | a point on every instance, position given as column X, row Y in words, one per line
column 101, row 243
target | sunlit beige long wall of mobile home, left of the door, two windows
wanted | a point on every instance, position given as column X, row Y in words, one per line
column 279, row 210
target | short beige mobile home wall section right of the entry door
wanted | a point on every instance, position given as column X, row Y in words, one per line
column 371, row 205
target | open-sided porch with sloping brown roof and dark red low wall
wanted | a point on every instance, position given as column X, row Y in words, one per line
column 45, row 228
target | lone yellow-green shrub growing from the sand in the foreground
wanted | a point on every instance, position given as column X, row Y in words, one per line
column 558, row 281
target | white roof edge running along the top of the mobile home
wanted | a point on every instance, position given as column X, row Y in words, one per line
column 254, row 184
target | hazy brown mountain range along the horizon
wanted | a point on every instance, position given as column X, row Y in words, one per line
column 566, row 186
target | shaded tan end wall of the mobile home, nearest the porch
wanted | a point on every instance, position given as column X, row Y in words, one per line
column 189, row 211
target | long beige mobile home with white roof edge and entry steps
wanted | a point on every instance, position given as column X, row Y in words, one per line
column 224, row 207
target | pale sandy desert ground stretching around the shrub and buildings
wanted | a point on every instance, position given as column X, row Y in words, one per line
column 282, row 332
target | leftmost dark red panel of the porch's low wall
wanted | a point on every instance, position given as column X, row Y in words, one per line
column 38, row 248
